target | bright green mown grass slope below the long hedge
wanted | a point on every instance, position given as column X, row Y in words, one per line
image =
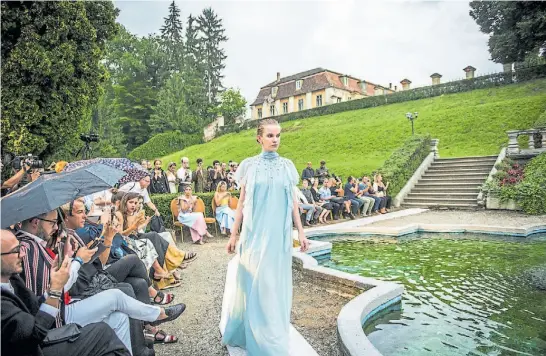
column 359, row 141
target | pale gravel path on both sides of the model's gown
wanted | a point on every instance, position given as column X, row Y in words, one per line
column 314, row 309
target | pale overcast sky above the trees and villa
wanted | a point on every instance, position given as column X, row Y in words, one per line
column 382, row 42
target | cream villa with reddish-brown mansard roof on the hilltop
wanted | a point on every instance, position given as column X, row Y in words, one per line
column 311, row 89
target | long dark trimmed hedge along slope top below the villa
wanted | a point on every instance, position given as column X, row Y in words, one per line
column 464, row 85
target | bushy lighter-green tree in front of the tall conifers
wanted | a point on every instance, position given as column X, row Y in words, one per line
column 171, row 112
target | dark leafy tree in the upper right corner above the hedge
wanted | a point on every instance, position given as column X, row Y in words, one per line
column 516, row 28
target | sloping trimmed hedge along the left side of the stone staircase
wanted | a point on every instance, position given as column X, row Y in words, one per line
column 401, row 165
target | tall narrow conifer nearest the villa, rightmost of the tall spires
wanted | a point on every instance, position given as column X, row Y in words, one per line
column 212, row 37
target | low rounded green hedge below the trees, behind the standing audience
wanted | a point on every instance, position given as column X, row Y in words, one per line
column 163, row 144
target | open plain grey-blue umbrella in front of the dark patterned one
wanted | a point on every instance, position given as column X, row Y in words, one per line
column 50, row 191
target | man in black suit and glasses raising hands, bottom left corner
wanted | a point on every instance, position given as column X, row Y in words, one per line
column 26, row 319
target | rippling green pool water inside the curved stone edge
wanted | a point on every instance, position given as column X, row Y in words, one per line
column 465, row 294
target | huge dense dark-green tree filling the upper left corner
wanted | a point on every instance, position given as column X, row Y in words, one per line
column 51, row 71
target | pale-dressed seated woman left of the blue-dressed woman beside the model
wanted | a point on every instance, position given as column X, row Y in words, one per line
column 186, row 216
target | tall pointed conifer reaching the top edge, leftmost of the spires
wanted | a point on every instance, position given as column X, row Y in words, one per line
column 173, row 38
